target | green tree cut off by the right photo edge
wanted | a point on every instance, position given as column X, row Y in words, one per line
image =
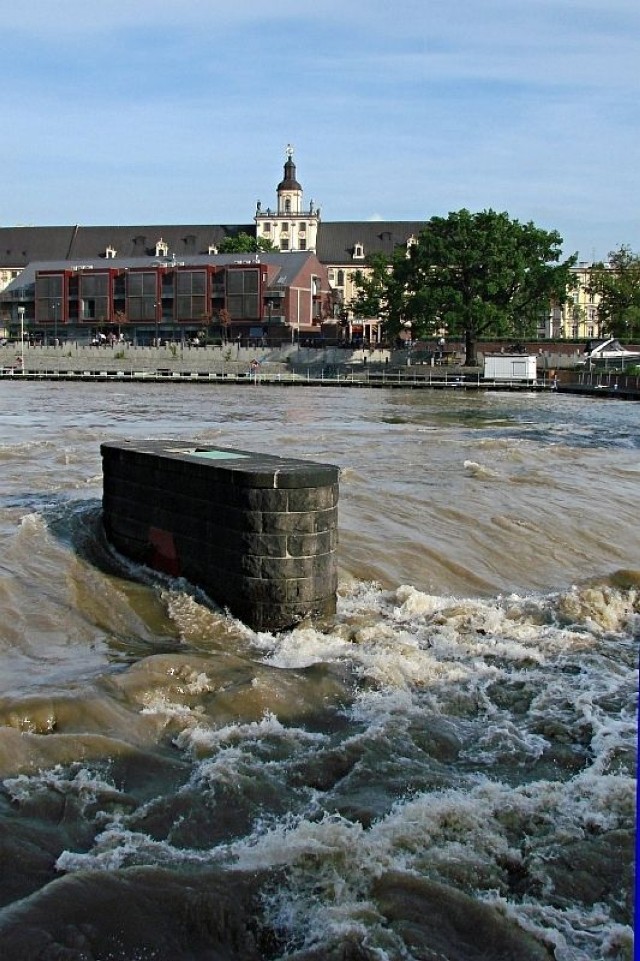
column 617, row 284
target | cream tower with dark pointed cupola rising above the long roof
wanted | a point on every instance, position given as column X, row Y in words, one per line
column 289, row 227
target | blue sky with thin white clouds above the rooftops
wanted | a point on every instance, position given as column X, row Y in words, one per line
column 158, row 112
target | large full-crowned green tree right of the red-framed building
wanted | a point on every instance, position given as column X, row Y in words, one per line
column 471, row 275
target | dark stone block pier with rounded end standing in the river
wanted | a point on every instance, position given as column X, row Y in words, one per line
column 257, row 532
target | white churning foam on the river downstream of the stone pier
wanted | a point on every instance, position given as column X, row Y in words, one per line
column 414, row 657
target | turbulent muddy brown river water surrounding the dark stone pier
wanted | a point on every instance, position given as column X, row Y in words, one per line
column 445, row 771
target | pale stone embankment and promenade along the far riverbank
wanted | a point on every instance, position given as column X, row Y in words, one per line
column 294, row 365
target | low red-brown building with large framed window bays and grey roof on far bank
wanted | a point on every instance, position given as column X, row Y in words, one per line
column 270, row 298
